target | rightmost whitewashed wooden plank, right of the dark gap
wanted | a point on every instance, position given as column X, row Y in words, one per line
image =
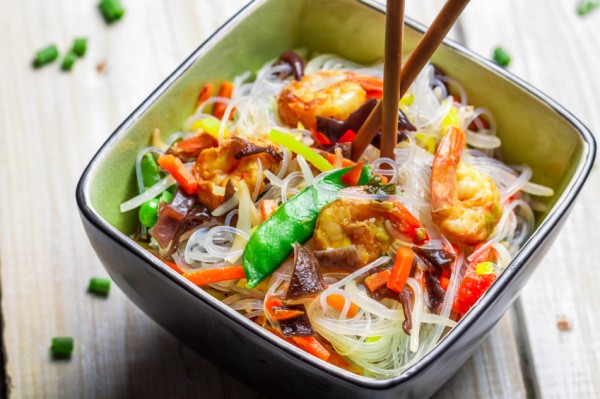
column 555, row 49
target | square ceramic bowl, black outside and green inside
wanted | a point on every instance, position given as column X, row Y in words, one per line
column 534, row 130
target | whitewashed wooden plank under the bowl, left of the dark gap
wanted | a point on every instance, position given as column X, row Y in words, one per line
column 51, row 124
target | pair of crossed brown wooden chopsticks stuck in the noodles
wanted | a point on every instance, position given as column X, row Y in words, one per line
column 397, row 78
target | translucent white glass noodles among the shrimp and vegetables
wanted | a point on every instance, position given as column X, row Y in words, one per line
column 372, row 338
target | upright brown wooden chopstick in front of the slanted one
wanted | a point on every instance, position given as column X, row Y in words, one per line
column 394, row 28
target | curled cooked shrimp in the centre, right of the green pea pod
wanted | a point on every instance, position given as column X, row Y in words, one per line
column 363, row 224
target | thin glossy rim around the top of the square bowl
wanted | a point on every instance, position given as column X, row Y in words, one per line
column 515, row 268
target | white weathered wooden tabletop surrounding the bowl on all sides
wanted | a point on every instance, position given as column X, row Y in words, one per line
column 51, row 123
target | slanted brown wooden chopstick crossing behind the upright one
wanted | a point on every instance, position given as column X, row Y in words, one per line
column 415, row 63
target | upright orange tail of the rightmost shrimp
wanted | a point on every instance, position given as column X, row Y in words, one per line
column 444, row 193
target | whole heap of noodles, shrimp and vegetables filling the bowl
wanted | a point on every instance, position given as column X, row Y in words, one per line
column 365, row 266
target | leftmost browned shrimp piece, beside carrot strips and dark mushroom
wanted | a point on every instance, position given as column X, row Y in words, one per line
column 220, row 169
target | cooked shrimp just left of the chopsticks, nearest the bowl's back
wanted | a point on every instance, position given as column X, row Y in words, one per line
column 330, row 94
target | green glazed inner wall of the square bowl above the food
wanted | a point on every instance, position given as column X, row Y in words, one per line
column 534, row 130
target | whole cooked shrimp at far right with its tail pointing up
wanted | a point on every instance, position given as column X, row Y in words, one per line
column 465, row 203
